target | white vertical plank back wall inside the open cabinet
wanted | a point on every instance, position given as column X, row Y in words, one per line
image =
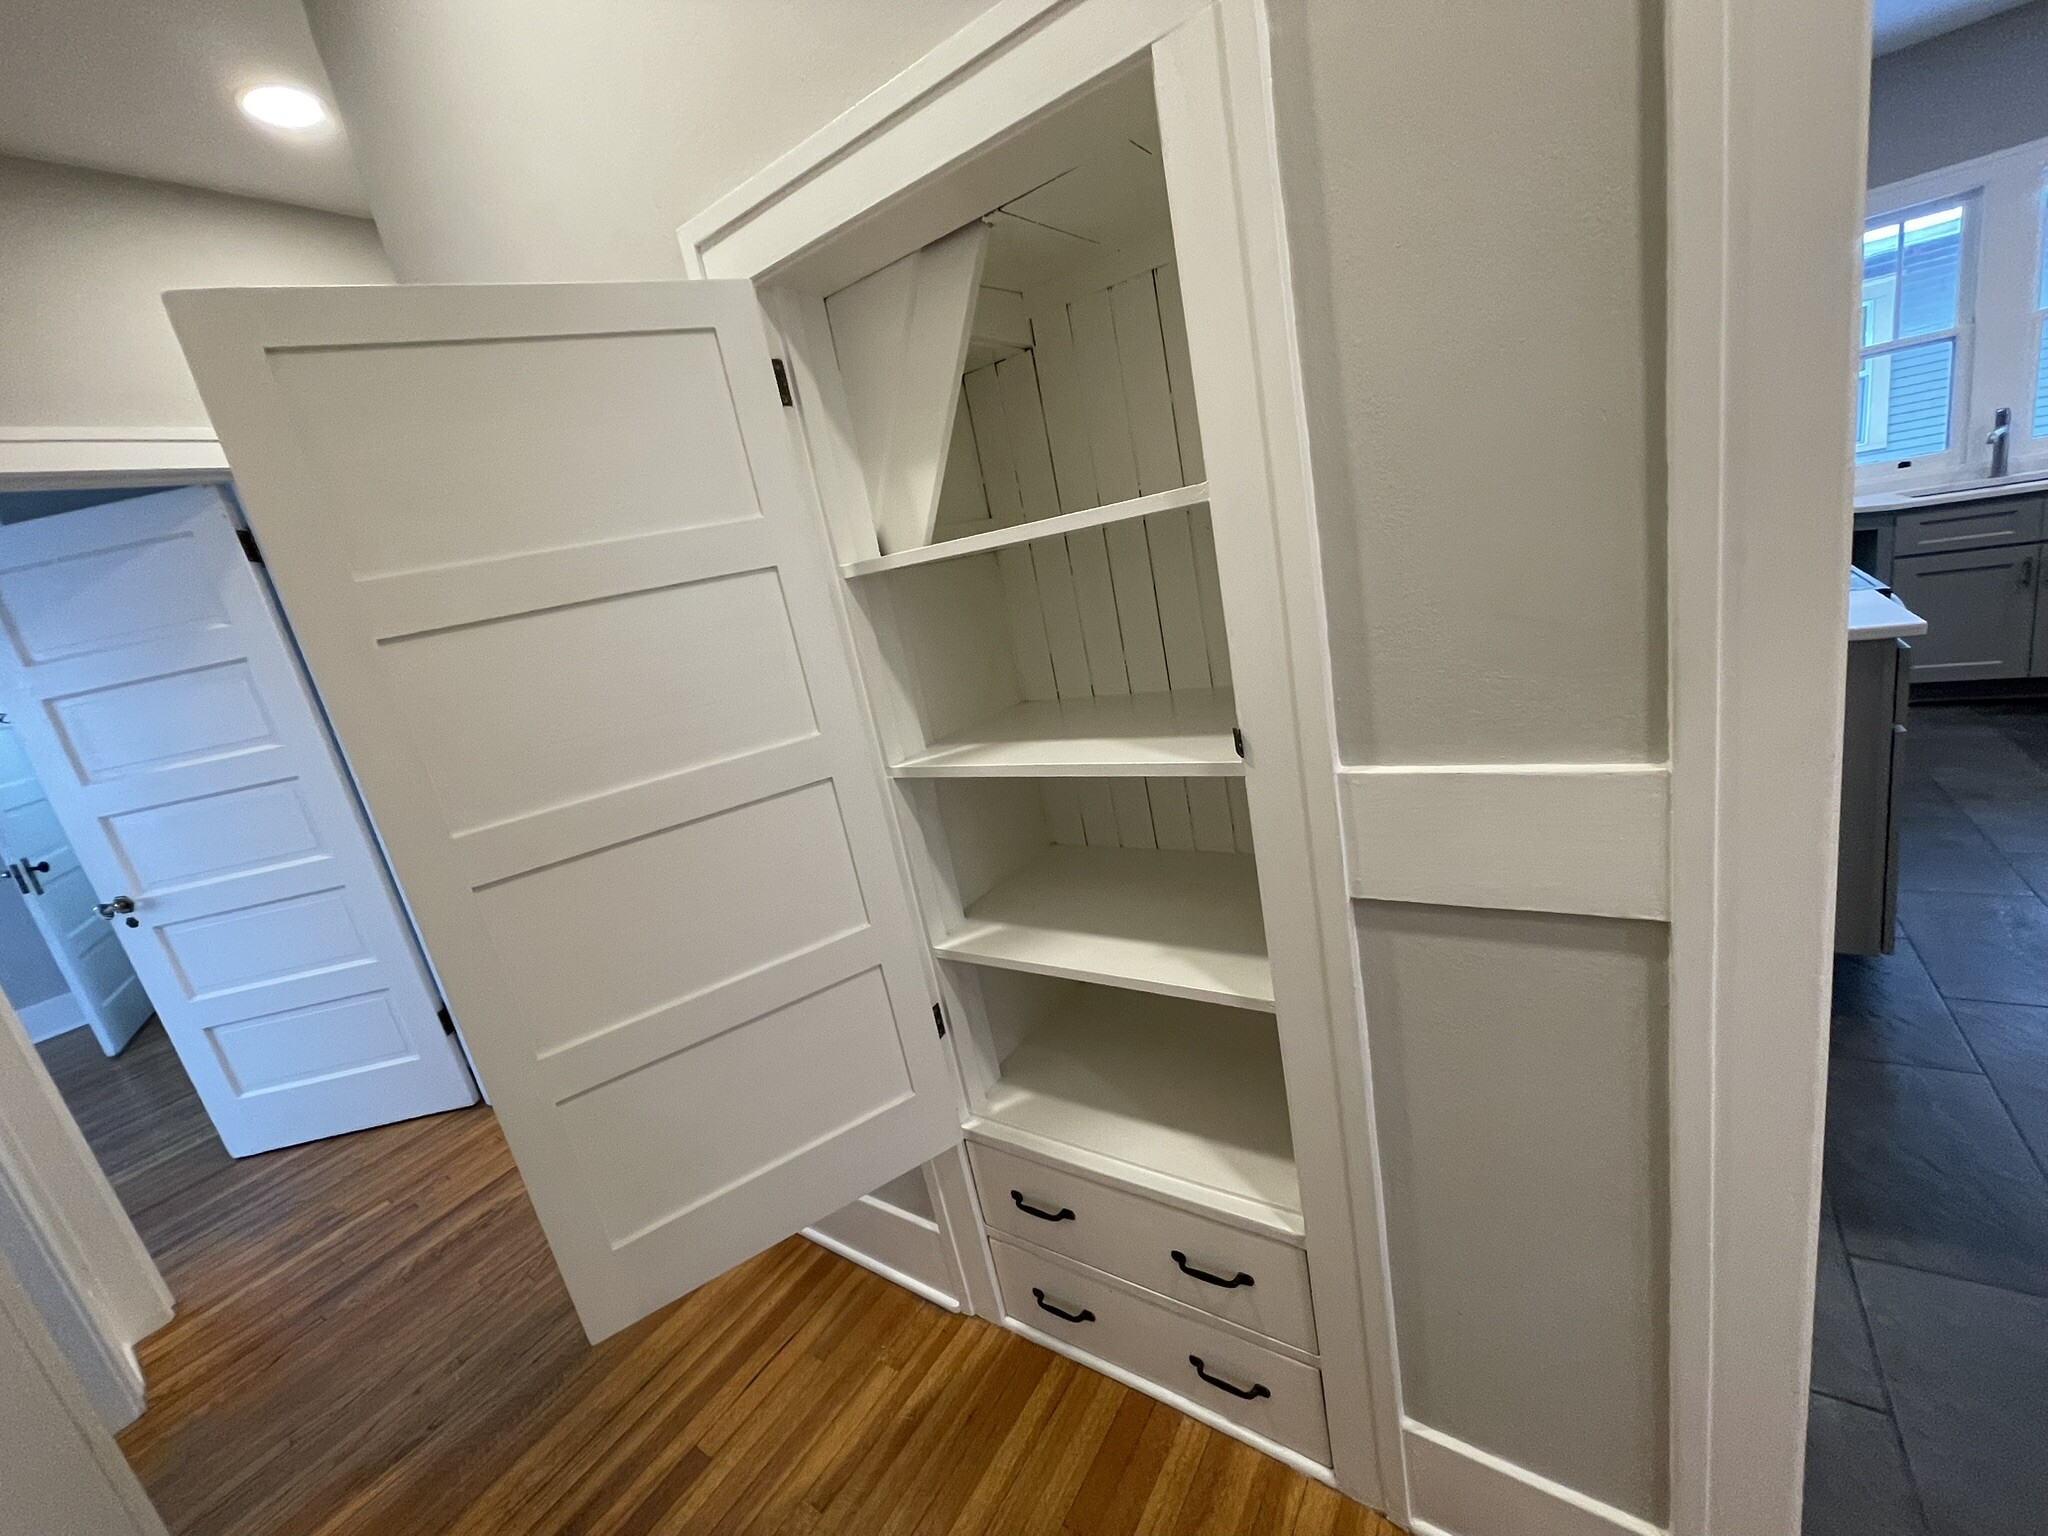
column 1103, row 411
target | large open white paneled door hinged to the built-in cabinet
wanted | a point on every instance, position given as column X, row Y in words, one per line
column 570, row 611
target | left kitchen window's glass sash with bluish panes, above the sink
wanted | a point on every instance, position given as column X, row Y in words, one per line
column 1912, row 296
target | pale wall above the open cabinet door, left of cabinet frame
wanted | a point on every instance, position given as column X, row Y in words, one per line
column 521, row 140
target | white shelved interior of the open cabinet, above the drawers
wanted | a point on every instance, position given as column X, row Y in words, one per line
column 1048, row 650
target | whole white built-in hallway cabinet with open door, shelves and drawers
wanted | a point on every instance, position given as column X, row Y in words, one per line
column 925, row 771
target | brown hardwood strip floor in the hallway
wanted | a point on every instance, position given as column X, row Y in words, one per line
column 372, row 1338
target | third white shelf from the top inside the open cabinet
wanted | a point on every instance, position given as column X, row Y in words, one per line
column 1158, row 921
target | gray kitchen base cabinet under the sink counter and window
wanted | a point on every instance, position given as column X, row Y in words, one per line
column 1975, row 574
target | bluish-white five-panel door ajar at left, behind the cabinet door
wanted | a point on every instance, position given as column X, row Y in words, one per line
column 187, row 763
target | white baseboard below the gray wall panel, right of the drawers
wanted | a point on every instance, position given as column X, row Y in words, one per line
column 1459, row 1490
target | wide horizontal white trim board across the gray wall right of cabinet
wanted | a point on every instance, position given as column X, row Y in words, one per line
column 1523, row 837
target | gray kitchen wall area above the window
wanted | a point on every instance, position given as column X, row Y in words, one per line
column 1963, row 95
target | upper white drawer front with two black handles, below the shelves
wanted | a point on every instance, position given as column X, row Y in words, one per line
column 1258, row 1283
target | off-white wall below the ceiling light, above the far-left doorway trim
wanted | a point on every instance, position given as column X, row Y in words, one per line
column 85, row 259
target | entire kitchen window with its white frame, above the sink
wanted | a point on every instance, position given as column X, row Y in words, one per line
column 1955, row 325
